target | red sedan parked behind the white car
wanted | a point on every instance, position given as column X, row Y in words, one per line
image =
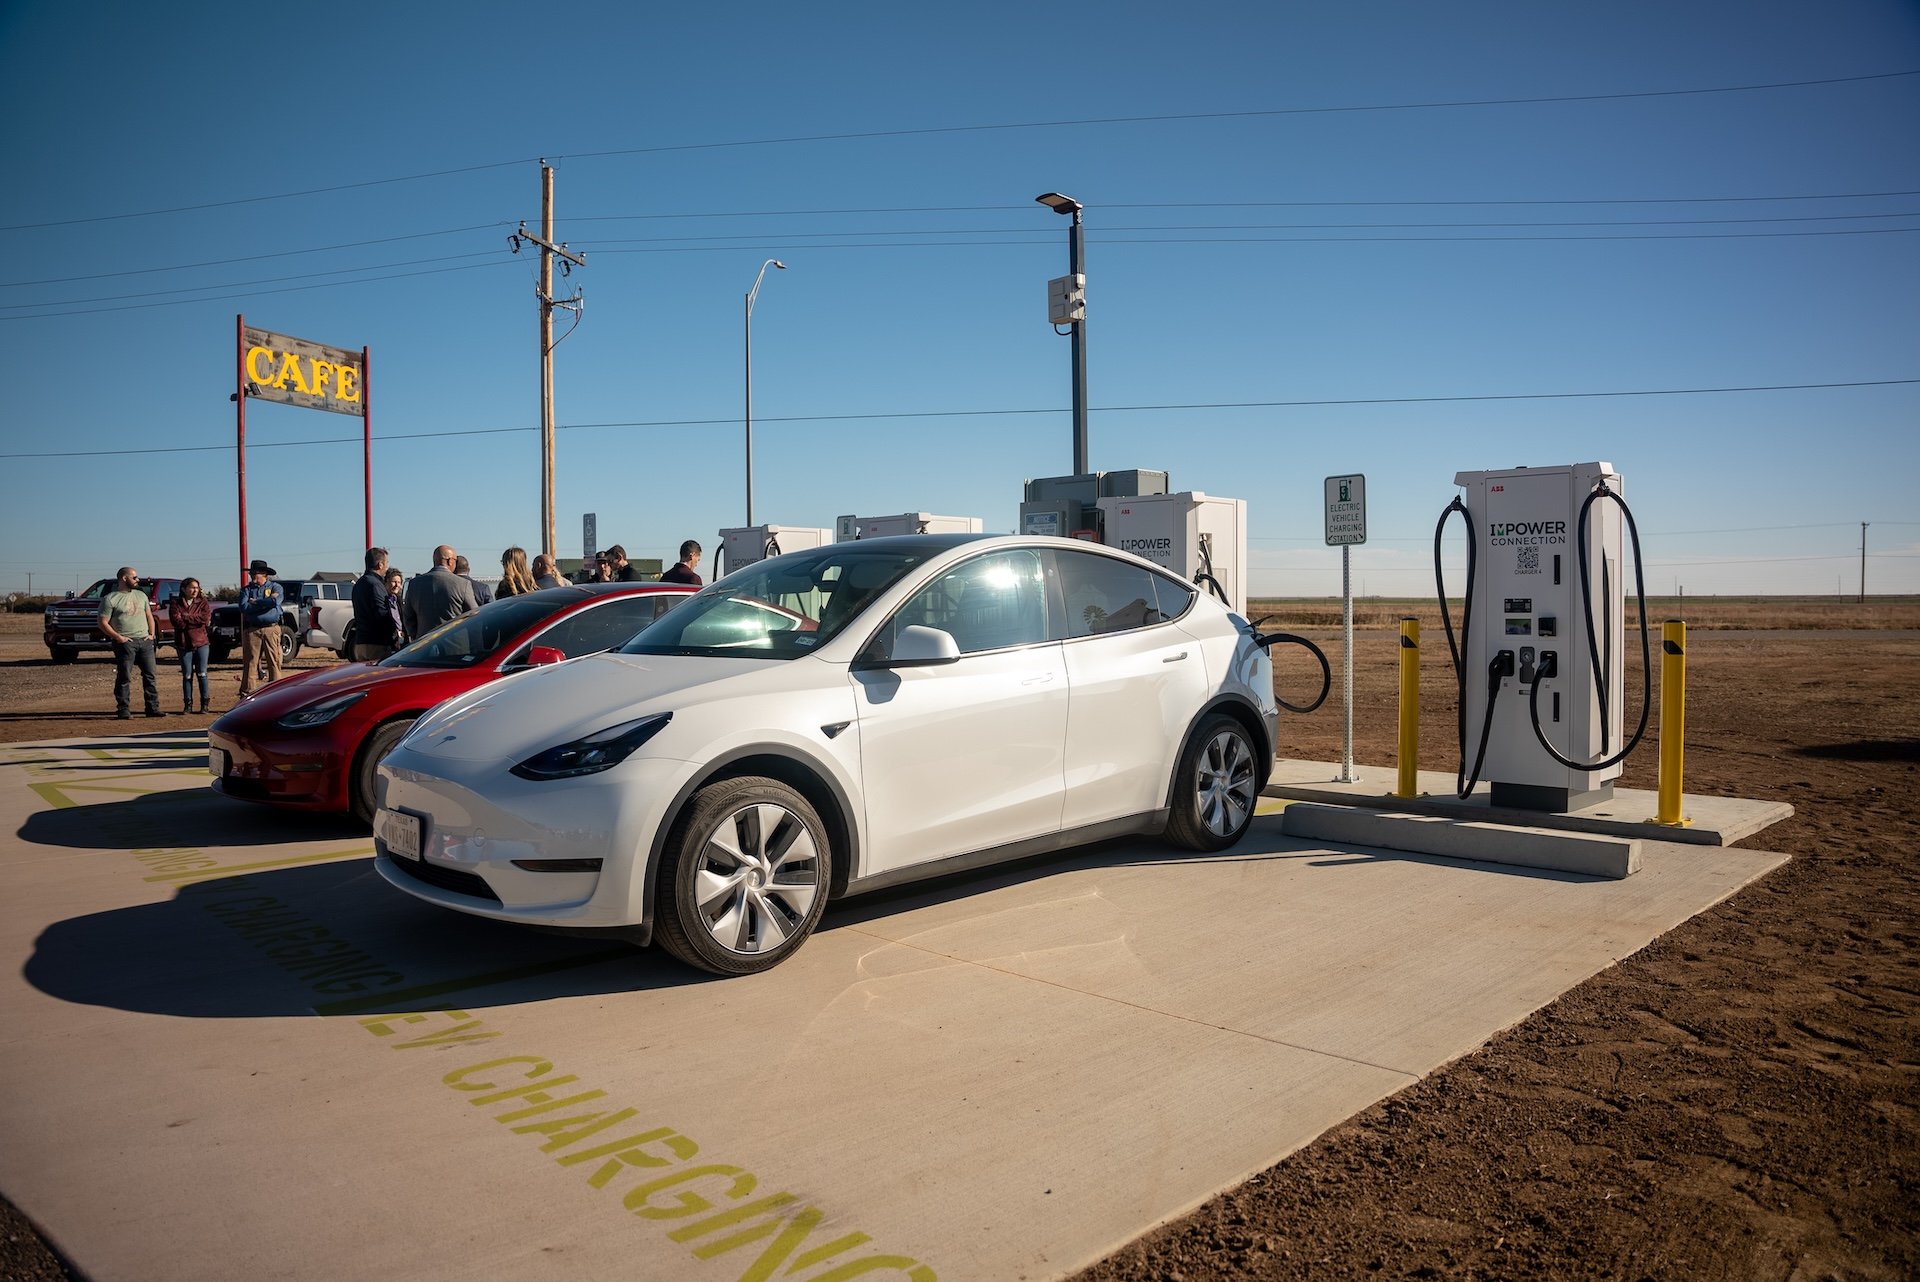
column 312, row 742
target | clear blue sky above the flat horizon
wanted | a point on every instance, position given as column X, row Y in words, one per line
column 1299, row 266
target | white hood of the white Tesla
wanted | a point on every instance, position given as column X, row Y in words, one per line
column 544, row 707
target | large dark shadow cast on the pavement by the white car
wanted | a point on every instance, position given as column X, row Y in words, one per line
column 327, row 939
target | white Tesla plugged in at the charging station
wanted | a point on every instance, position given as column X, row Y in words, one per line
column 832, row 723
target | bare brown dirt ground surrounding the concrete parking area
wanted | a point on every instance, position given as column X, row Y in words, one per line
column 1739, row 1101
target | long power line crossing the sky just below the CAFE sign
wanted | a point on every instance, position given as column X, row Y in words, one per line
column 990, row 414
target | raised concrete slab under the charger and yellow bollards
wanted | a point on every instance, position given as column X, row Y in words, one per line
column 1710, row 820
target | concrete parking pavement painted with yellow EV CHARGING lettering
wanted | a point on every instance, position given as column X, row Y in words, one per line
column 228, row 1049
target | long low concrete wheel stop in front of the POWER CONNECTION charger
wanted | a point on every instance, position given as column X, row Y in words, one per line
column 1456, row 840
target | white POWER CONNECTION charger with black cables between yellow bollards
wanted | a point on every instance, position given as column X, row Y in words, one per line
column 1541, row 657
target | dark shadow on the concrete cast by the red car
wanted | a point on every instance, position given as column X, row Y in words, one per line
column 193, row 819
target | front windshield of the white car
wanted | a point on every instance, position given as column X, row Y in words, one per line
column 779, row 609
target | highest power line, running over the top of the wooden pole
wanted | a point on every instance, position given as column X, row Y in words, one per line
column 971, row 130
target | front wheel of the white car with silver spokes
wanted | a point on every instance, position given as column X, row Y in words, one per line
column 744, row 878
